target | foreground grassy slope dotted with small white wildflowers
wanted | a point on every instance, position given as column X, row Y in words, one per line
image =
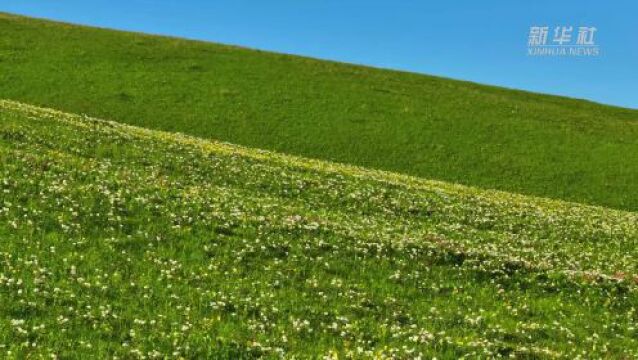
column 126, row 242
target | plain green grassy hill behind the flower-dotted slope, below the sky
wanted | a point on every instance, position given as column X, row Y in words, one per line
column 420, row 125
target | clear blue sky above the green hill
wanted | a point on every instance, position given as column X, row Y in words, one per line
column 482, row 41
